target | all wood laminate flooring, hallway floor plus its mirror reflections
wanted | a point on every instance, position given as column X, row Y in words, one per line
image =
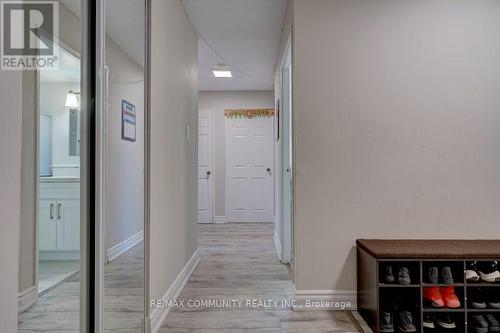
column 238, row 262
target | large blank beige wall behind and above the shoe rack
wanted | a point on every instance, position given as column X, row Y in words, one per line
column 397, row 127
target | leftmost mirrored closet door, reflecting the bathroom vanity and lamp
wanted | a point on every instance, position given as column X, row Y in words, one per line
column 53, row 267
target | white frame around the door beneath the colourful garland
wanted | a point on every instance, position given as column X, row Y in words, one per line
column 227, row 172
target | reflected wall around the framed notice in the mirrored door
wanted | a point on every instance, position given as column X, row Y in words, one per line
column 125, row 159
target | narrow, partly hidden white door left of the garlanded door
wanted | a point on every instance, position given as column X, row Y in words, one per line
column 205, row 166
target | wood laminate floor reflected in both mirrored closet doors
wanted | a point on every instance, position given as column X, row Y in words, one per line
column 58, row 310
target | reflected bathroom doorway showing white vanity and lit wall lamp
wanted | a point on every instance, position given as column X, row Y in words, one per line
column 59, row 187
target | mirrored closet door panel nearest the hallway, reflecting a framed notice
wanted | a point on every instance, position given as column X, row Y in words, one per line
column 123, row 165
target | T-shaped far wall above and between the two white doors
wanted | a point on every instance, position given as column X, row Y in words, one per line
column 218, row 101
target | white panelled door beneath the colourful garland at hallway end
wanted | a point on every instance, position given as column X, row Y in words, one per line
column 249, row 170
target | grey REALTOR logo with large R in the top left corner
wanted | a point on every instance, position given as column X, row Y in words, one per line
column 29, row 30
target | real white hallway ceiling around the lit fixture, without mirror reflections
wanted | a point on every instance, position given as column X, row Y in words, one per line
column 246, row 33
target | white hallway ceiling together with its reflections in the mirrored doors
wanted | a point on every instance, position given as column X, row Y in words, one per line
column 246, row 33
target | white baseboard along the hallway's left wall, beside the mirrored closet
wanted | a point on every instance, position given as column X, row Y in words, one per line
column 158, row 314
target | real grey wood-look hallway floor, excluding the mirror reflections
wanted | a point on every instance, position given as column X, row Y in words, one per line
column 239, row 262
